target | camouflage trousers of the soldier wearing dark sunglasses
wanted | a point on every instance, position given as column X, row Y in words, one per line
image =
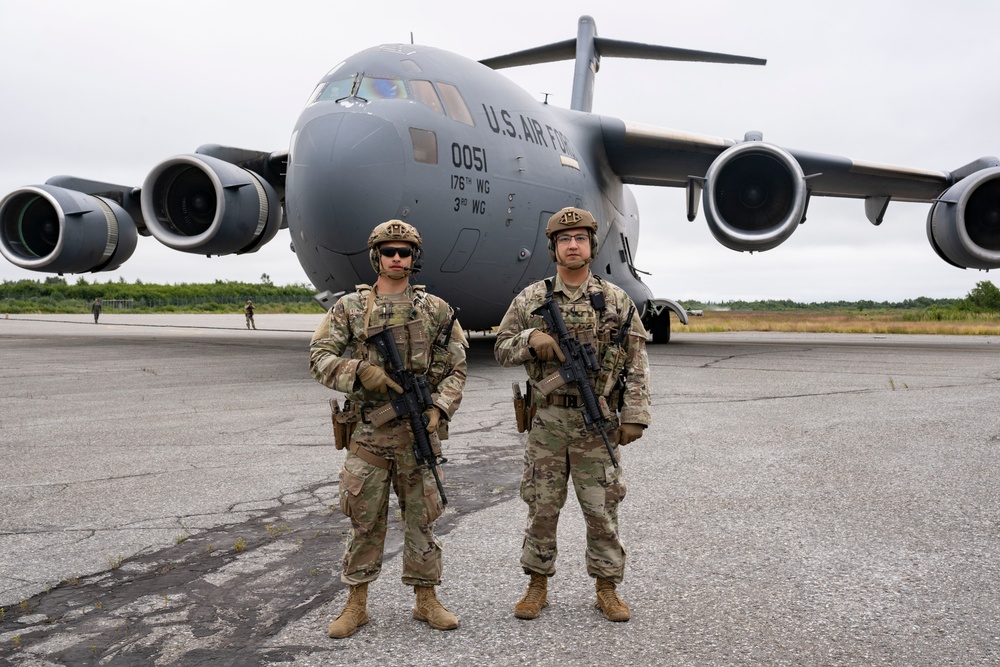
column 364, row 498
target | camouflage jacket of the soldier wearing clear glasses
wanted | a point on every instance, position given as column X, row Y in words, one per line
column 587, row 325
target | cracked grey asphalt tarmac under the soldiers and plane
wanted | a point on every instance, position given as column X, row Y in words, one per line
column 169, row 497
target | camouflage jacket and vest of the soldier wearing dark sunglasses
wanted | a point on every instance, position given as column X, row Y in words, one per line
column 433, row 344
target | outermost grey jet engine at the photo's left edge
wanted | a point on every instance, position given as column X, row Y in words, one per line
column 48, row 228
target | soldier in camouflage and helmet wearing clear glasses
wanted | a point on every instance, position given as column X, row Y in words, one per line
column 559, row 445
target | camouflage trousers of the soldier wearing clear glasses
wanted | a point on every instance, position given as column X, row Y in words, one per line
column 559, row 447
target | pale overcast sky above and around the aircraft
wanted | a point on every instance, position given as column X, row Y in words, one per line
column 105, row 90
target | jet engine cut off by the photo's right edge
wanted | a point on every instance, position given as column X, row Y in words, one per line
column 963, row 225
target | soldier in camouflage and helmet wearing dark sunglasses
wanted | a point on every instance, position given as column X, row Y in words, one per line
column 380, row 455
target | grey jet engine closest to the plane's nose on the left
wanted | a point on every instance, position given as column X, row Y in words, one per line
column 200, row 204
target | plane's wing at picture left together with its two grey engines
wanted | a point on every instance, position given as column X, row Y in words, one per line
column 216, row 201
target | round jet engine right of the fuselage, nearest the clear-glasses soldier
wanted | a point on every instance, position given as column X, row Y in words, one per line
column 755, row 196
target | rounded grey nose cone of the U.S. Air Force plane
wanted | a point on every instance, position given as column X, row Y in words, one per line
column 345, row 175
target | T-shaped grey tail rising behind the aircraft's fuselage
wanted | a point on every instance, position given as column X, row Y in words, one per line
column 587, row 49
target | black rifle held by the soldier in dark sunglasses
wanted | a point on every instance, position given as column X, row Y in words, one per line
column 412, row 403
